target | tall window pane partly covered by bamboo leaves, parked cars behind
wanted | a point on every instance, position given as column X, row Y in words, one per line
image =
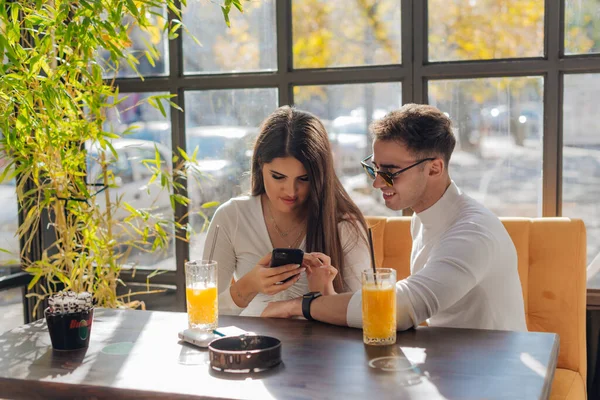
column 132, row 176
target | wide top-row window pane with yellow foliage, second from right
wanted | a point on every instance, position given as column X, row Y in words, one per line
column 485, row 29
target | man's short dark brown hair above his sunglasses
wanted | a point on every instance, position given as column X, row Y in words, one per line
column 423, row 129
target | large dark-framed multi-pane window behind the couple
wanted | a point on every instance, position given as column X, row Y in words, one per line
column 494, row 66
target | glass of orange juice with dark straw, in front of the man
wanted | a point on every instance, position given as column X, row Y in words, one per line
column 379, row 306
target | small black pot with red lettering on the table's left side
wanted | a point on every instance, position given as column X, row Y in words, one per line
column 70, row 331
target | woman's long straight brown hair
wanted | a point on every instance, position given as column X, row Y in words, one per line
column 288, row 132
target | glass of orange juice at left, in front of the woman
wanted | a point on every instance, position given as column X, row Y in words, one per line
column 201, row 294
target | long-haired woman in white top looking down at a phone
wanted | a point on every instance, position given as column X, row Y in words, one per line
column 297, row 201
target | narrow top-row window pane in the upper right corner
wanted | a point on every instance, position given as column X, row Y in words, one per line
column 582, row 26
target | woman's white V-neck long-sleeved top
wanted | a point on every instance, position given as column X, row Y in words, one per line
column 243, row 240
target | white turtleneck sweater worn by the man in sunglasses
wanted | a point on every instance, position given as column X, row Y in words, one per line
column 463, row 270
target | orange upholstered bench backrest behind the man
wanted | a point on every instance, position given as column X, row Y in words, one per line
column 552, row 267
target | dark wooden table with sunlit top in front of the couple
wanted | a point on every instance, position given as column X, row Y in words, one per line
column 136, row 354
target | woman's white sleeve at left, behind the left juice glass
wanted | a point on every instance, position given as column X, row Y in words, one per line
column 224, row 254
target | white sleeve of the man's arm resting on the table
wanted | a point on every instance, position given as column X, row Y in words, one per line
column 457, row 263
